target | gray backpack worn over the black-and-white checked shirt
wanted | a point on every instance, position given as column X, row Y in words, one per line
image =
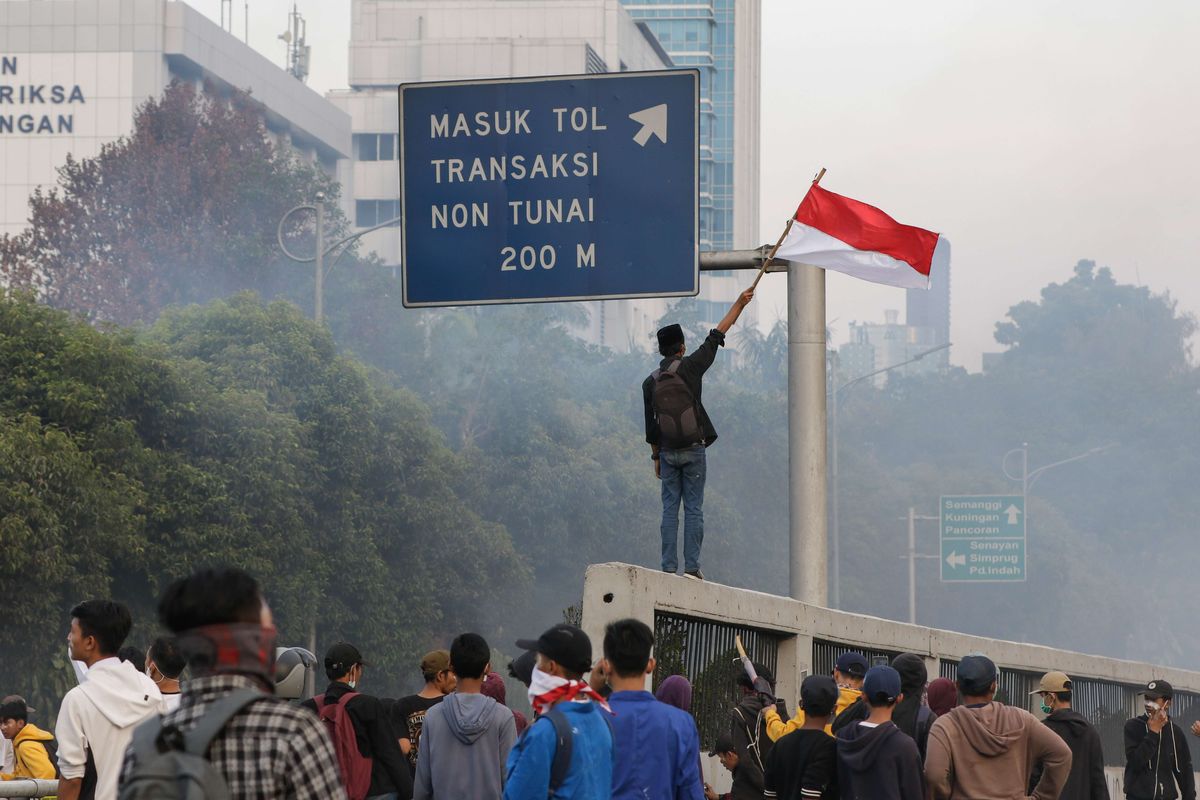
column 172, row 765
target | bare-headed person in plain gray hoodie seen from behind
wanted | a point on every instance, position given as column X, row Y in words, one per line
column 466, row 738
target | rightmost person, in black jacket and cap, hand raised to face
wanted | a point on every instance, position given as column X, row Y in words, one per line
column 1159, row 763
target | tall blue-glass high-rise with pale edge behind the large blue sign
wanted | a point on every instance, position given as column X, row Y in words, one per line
column 722, row 39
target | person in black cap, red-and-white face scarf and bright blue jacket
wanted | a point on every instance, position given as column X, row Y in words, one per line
column 569, row 711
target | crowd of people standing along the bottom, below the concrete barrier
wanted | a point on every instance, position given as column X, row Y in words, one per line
column 199, row 712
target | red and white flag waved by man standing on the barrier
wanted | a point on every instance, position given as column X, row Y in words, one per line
column 837, row 233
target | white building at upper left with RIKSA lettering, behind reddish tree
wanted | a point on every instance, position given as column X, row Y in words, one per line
column 74, row 74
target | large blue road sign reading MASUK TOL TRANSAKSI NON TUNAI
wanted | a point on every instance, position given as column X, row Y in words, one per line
column 580, row 188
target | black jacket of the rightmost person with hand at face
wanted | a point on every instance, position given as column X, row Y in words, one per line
column 1156, row 761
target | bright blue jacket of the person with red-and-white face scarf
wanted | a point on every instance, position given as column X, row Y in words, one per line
column 591, row 774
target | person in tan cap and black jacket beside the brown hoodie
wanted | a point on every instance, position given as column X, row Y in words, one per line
column 1087, row 778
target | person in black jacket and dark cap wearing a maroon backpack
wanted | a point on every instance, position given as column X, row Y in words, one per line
column 391, row 778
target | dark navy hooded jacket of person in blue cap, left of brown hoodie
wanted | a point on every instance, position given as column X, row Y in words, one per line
column 879, row 763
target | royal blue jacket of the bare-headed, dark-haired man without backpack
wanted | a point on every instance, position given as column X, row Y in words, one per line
column 658, row 750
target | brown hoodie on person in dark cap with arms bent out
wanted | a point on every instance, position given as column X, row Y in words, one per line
column 989, row 751
